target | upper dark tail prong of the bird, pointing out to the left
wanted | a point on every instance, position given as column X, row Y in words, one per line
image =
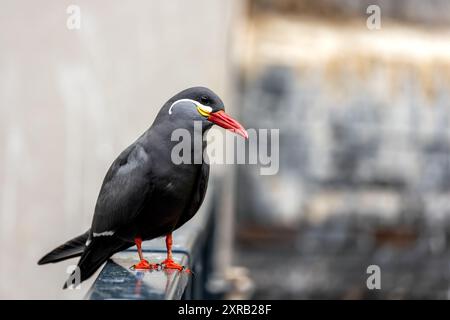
column 70, row 249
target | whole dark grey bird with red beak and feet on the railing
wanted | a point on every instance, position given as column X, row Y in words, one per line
column 145, row 194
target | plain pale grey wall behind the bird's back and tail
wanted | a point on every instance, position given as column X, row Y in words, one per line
column 71, row 100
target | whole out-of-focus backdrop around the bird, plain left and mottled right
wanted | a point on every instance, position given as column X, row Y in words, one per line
column 364, row 120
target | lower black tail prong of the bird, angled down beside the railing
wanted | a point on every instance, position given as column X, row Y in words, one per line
column 98, row 251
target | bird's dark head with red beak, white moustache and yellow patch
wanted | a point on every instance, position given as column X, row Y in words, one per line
column 199, row 103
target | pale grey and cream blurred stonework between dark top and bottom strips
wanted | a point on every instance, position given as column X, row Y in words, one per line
column 364, row 119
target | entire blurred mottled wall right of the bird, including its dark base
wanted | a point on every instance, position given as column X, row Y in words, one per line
column 364, row 120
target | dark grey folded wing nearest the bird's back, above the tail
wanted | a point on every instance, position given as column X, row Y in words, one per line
column 126, row 187
